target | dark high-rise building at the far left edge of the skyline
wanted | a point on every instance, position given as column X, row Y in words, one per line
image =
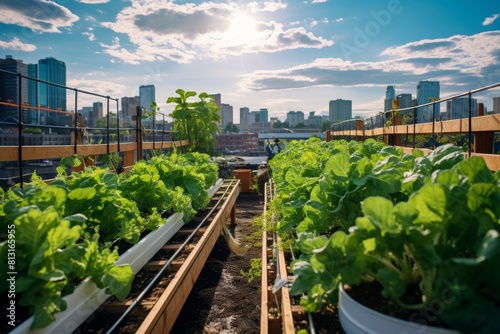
column 9, row 88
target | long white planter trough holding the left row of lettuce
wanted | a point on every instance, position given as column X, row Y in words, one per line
column 87, row 297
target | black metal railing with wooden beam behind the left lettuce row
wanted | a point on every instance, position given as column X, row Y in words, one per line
column 76, row 136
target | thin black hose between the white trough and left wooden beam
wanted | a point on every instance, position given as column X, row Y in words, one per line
column 164, row 268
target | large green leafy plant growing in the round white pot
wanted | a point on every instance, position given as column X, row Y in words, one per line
column 443, row 242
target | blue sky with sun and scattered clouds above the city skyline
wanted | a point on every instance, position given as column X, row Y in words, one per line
column 280, row 55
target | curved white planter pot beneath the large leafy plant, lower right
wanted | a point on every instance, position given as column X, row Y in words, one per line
column 356, row 318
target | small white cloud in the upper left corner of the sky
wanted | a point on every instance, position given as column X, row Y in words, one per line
column 37, row 15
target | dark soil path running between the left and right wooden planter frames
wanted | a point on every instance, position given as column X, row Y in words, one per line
column 222, row 300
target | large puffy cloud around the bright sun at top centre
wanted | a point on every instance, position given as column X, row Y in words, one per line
column 181, row 33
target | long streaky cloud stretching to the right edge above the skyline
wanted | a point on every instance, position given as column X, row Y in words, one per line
column 466, row 61
